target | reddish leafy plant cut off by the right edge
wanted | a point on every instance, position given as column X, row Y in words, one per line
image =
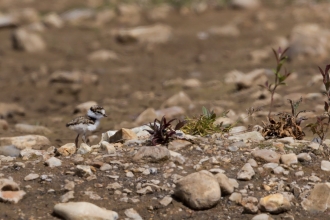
column 321, row 126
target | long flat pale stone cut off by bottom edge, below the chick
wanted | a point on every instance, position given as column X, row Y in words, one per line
column 83, row 211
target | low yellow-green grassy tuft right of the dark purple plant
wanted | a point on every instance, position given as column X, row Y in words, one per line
column 204, row 124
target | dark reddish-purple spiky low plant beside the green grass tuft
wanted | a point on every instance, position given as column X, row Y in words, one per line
column 162, row 132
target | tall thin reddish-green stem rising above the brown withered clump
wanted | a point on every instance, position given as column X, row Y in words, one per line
column 279, row 78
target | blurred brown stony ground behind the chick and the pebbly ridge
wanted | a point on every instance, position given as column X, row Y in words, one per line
column 148, row 58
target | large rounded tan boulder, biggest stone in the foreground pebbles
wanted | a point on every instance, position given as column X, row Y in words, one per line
column 198, row 190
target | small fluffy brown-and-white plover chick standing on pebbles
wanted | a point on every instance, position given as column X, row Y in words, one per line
column 84, row 124
